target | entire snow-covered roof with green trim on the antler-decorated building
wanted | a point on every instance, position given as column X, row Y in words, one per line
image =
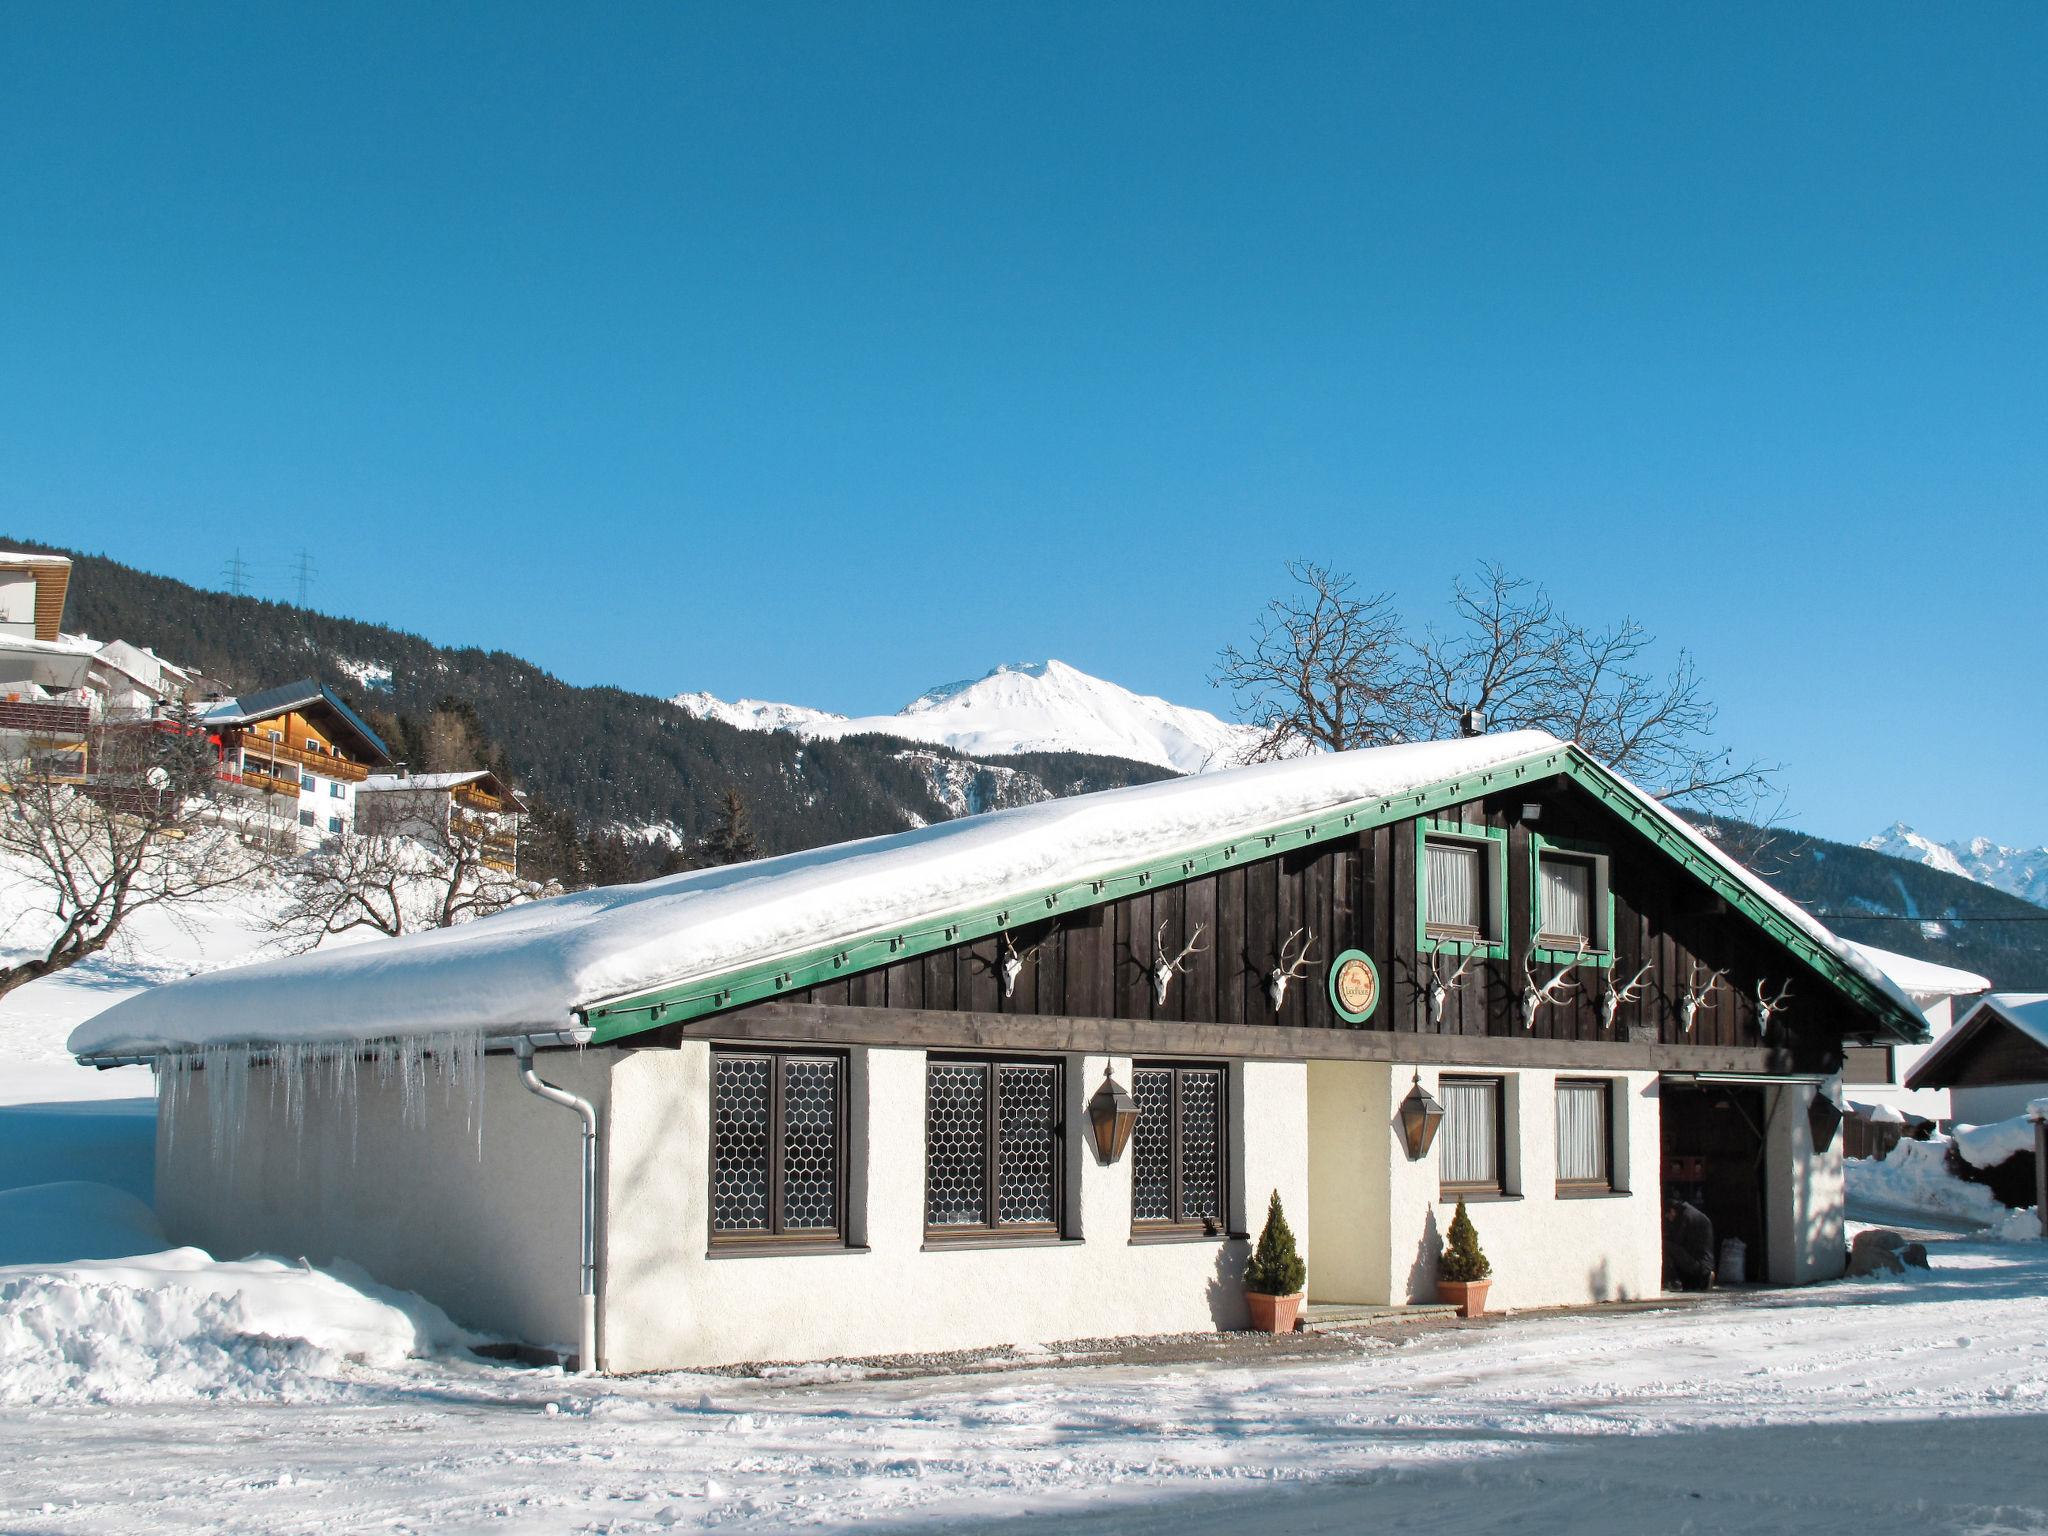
column 630, row 957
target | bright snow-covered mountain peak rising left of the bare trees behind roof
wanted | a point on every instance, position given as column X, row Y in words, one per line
column 1019, row 708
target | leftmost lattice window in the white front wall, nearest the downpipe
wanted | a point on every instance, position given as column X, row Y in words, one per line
column 777, row 1148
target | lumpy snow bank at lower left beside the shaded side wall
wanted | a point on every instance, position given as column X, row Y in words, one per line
column 179, row 1326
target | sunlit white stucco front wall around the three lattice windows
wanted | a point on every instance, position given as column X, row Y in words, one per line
column 667, row 1304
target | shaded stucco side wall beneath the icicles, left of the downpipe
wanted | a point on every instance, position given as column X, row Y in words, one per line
column 493, row 1236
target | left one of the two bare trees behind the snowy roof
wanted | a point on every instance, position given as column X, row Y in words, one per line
column 1324, row 669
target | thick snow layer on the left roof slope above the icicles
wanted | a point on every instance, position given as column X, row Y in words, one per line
column 529, row 968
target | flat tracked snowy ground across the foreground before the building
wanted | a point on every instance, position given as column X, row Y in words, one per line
column 1916, row 1404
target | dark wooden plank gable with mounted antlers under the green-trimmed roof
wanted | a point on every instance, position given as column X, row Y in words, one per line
column 1363, row 894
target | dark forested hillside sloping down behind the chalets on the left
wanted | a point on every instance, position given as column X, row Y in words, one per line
column 601, row 755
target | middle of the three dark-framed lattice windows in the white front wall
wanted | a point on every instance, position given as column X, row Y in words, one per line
column 994, row 1146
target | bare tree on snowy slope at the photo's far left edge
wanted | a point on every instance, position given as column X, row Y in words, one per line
column 148, row 824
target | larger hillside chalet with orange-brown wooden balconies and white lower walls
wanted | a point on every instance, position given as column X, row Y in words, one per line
column 300, row 753
